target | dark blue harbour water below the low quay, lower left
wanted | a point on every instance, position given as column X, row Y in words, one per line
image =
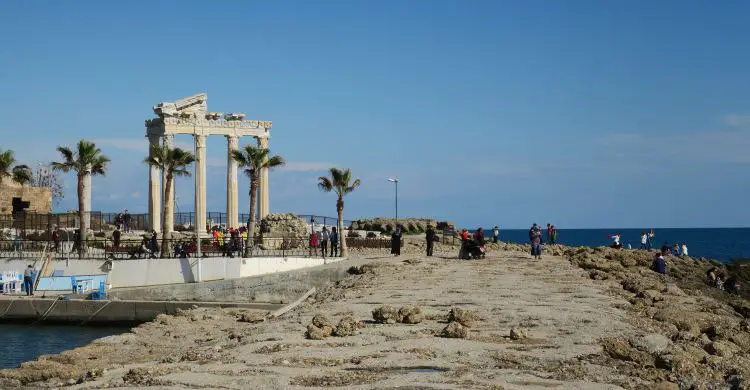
column 21, row 343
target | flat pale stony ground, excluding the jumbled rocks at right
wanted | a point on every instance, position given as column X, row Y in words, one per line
column 564, row 313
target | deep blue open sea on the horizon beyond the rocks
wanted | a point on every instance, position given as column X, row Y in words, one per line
column 723, row 244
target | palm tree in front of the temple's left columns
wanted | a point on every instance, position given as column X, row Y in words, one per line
column 174, row 163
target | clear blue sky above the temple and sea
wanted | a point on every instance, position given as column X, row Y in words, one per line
column 579, row 113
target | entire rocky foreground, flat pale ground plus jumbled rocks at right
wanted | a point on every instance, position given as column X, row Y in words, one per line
column 581, row 318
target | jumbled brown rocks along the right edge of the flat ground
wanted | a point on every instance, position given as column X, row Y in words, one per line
column 695, row 335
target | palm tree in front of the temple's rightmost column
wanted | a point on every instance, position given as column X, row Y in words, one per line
column 254, row 160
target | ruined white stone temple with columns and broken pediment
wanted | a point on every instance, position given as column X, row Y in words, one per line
column 191, row 116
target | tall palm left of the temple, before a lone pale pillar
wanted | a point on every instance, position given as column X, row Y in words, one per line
column 85, row 161
